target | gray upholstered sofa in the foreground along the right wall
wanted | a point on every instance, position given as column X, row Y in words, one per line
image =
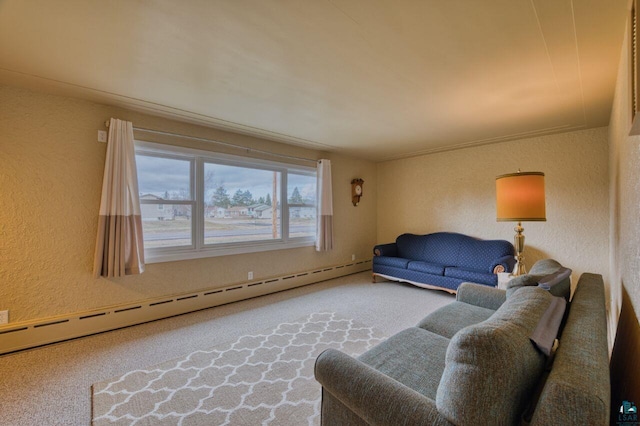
column 475, row 362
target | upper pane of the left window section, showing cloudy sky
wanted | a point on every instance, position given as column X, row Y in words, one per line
column 166, row 178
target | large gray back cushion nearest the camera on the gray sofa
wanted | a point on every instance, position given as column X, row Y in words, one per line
column 492, row 367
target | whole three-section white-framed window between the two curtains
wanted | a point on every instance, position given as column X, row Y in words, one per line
column 198, row 204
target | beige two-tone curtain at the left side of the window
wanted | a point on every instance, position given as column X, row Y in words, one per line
column 119, row 246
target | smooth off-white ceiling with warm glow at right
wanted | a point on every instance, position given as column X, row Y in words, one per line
column 379, row 79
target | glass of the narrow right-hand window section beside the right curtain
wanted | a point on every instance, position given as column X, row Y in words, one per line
column 301, row 195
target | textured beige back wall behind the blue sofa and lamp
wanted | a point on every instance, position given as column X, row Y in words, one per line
column 455, row 191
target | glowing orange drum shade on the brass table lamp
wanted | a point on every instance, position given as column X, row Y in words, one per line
column 520, row 197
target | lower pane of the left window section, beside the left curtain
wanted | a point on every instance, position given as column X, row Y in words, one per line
column 169, row 227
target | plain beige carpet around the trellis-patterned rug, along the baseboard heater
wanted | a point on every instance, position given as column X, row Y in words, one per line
column 52, row 385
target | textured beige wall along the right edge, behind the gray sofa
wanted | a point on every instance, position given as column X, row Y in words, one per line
column 625, row 195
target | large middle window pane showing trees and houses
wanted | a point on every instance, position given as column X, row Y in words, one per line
column 241, row 204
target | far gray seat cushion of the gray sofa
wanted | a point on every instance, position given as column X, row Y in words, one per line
column 453, row 317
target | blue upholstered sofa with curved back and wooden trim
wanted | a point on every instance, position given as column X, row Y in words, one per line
column 443, row 260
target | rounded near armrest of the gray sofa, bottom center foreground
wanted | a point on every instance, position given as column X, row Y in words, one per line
column 371, row 395
